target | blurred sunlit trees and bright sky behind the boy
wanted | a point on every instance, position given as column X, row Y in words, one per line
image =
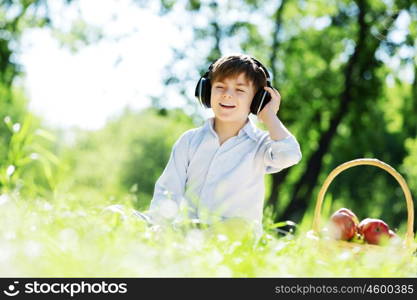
column 93, row 94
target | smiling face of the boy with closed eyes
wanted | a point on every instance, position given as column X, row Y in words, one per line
column 231, row 98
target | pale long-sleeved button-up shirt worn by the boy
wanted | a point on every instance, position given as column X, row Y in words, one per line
column 213, row 181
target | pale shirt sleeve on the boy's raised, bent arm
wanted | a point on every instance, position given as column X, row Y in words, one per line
column 281, row 154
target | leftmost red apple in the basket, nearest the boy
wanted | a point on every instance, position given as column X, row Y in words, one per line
column 342, row 226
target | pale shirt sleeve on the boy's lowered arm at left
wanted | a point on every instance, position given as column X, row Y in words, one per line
column 170, row 186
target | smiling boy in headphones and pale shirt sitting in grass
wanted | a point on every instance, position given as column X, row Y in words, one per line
column 217, row 171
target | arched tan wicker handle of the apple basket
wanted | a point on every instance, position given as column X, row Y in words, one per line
column 372, row 162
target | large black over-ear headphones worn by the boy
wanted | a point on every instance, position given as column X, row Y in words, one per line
column 261, row 98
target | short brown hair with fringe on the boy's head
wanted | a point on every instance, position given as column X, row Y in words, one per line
column 231, row 66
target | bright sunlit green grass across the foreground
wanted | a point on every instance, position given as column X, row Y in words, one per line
column 69, row 239
